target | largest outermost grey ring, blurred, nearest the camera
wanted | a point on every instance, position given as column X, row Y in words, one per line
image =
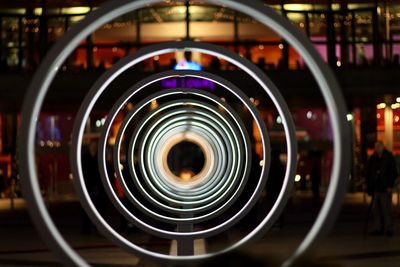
column 56, row 56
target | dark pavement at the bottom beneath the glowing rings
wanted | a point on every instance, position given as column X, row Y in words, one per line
column 346, row 245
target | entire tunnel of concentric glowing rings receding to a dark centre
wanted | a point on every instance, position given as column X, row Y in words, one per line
column 186, row 159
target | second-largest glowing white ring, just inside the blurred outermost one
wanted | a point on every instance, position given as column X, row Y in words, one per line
column 149, row 52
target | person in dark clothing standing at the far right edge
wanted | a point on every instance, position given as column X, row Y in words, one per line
column 381, row 175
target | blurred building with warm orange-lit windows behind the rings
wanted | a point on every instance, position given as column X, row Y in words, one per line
column 359, row 39
